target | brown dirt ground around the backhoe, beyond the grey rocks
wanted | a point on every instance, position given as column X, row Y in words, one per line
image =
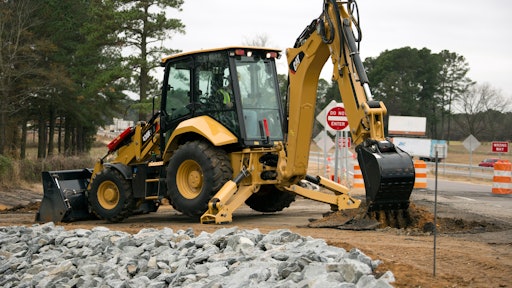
column 471, row 250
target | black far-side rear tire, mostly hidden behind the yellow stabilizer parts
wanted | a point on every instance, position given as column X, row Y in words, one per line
column 270, row 199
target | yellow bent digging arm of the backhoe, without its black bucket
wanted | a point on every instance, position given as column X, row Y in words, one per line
column 330, row 35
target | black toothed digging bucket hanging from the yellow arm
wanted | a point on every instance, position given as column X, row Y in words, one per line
column 388, row 174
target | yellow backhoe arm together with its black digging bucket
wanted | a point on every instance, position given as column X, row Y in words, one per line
column 385, row 168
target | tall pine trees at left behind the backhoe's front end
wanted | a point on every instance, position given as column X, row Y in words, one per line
column 65, row 70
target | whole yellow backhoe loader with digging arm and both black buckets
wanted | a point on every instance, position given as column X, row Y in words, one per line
column 223, row 137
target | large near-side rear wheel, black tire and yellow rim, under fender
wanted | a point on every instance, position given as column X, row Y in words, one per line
column 197, row 170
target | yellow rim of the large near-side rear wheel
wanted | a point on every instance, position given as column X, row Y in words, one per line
column 189, row 179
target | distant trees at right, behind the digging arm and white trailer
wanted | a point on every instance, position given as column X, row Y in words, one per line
column 418, row 82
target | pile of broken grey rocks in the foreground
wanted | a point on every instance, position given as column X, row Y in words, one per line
column 49, row 256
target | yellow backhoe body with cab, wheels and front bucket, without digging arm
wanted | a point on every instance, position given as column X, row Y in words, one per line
column 220, row 114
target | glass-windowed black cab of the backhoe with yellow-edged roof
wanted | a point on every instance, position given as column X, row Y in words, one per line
column 236, row 87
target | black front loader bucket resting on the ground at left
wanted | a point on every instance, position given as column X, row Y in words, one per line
column 64, row 198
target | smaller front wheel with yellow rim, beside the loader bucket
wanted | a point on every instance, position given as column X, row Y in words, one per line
column 111, row 196
